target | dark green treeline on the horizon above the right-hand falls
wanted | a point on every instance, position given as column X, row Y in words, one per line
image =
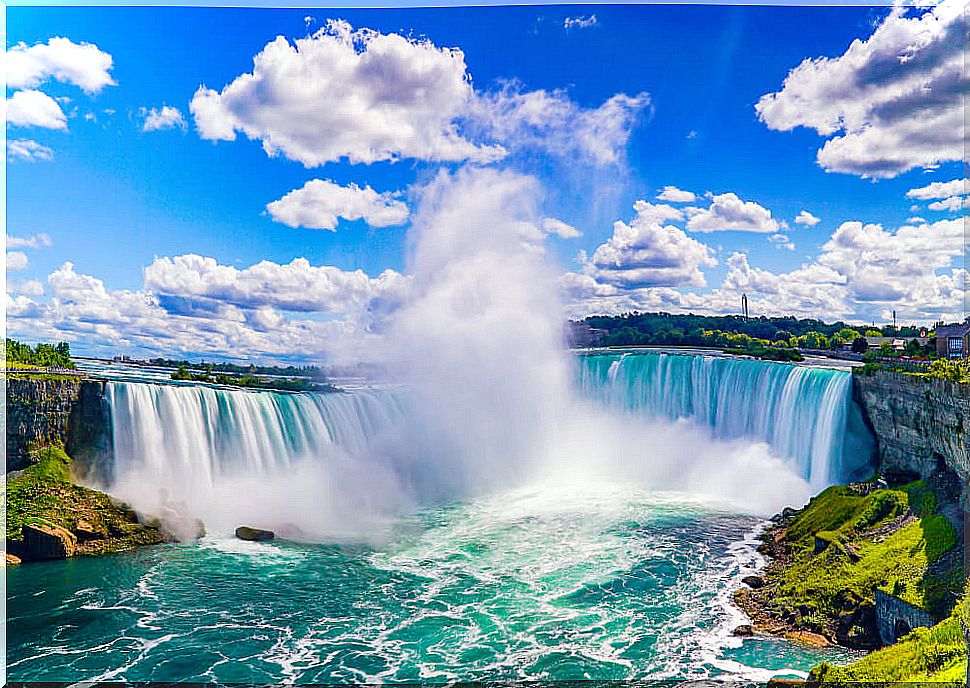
column 732, row 331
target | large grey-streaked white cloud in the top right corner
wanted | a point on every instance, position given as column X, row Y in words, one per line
column 891, row 102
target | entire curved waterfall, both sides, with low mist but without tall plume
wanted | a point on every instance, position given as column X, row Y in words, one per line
column 346, row 463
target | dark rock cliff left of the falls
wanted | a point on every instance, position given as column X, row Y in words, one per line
column 71, row 412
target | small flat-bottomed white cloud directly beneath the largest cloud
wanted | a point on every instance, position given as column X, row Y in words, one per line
column 320, row 204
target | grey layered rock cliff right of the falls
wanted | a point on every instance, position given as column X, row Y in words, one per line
column 921, row 424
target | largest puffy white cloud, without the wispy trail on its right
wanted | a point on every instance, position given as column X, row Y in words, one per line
column 340, row 93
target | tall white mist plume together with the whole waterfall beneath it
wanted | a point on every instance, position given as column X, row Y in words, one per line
column 489, row 403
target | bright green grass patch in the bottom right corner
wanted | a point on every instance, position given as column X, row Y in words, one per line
column 927, row 654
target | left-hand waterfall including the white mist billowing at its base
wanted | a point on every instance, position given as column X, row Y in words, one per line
column 234, row 456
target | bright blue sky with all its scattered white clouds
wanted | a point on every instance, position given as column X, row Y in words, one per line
column 99, row 190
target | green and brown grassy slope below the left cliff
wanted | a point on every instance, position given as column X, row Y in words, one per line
column 44, row 491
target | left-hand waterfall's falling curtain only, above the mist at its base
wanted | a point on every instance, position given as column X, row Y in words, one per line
column 195, row 434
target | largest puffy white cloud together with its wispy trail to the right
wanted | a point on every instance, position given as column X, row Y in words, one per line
column 364, row 96
